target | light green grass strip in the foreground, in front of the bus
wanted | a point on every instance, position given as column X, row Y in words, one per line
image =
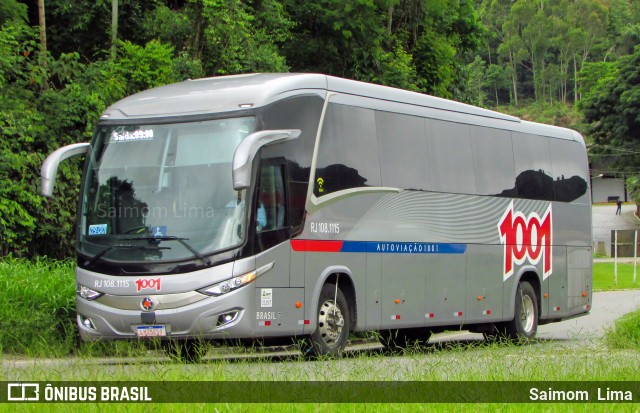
column 542, row 361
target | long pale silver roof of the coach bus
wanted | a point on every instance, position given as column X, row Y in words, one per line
column 233, row 93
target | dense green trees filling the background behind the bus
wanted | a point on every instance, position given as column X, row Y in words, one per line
column 552, row 53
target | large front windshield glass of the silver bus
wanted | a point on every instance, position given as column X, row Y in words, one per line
column 163, row 192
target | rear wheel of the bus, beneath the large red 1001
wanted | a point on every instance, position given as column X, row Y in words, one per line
column 525, row 321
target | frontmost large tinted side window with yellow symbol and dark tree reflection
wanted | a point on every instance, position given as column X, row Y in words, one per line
column 348, row 152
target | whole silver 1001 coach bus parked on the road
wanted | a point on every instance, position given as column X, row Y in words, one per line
column 269, row 206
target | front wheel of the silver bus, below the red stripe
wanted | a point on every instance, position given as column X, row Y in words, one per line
column 333, row 325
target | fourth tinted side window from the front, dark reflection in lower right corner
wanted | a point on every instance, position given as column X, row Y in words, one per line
column 493, row 162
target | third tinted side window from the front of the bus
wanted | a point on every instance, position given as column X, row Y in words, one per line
column 450, row 157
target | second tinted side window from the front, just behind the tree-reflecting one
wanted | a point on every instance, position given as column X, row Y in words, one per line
column 403, row 151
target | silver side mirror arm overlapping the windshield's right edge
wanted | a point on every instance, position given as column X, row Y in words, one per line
column 246, row 152
